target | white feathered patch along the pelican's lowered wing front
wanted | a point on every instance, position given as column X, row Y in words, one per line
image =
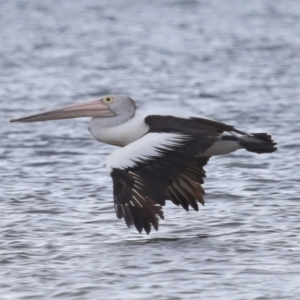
column 145, row 148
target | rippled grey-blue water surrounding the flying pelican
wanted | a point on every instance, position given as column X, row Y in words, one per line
column 233, row 61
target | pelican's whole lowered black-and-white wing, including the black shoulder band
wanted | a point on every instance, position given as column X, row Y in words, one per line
column 165, row 164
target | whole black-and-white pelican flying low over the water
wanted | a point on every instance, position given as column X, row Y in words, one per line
column 161, row 156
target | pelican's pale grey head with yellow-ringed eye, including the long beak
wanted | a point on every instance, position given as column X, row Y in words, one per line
column 109, row 106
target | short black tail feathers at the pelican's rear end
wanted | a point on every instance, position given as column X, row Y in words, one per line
column 258, row 143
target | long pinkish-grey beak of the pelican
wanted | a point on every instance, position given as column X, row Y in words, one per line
column 88, row 109
